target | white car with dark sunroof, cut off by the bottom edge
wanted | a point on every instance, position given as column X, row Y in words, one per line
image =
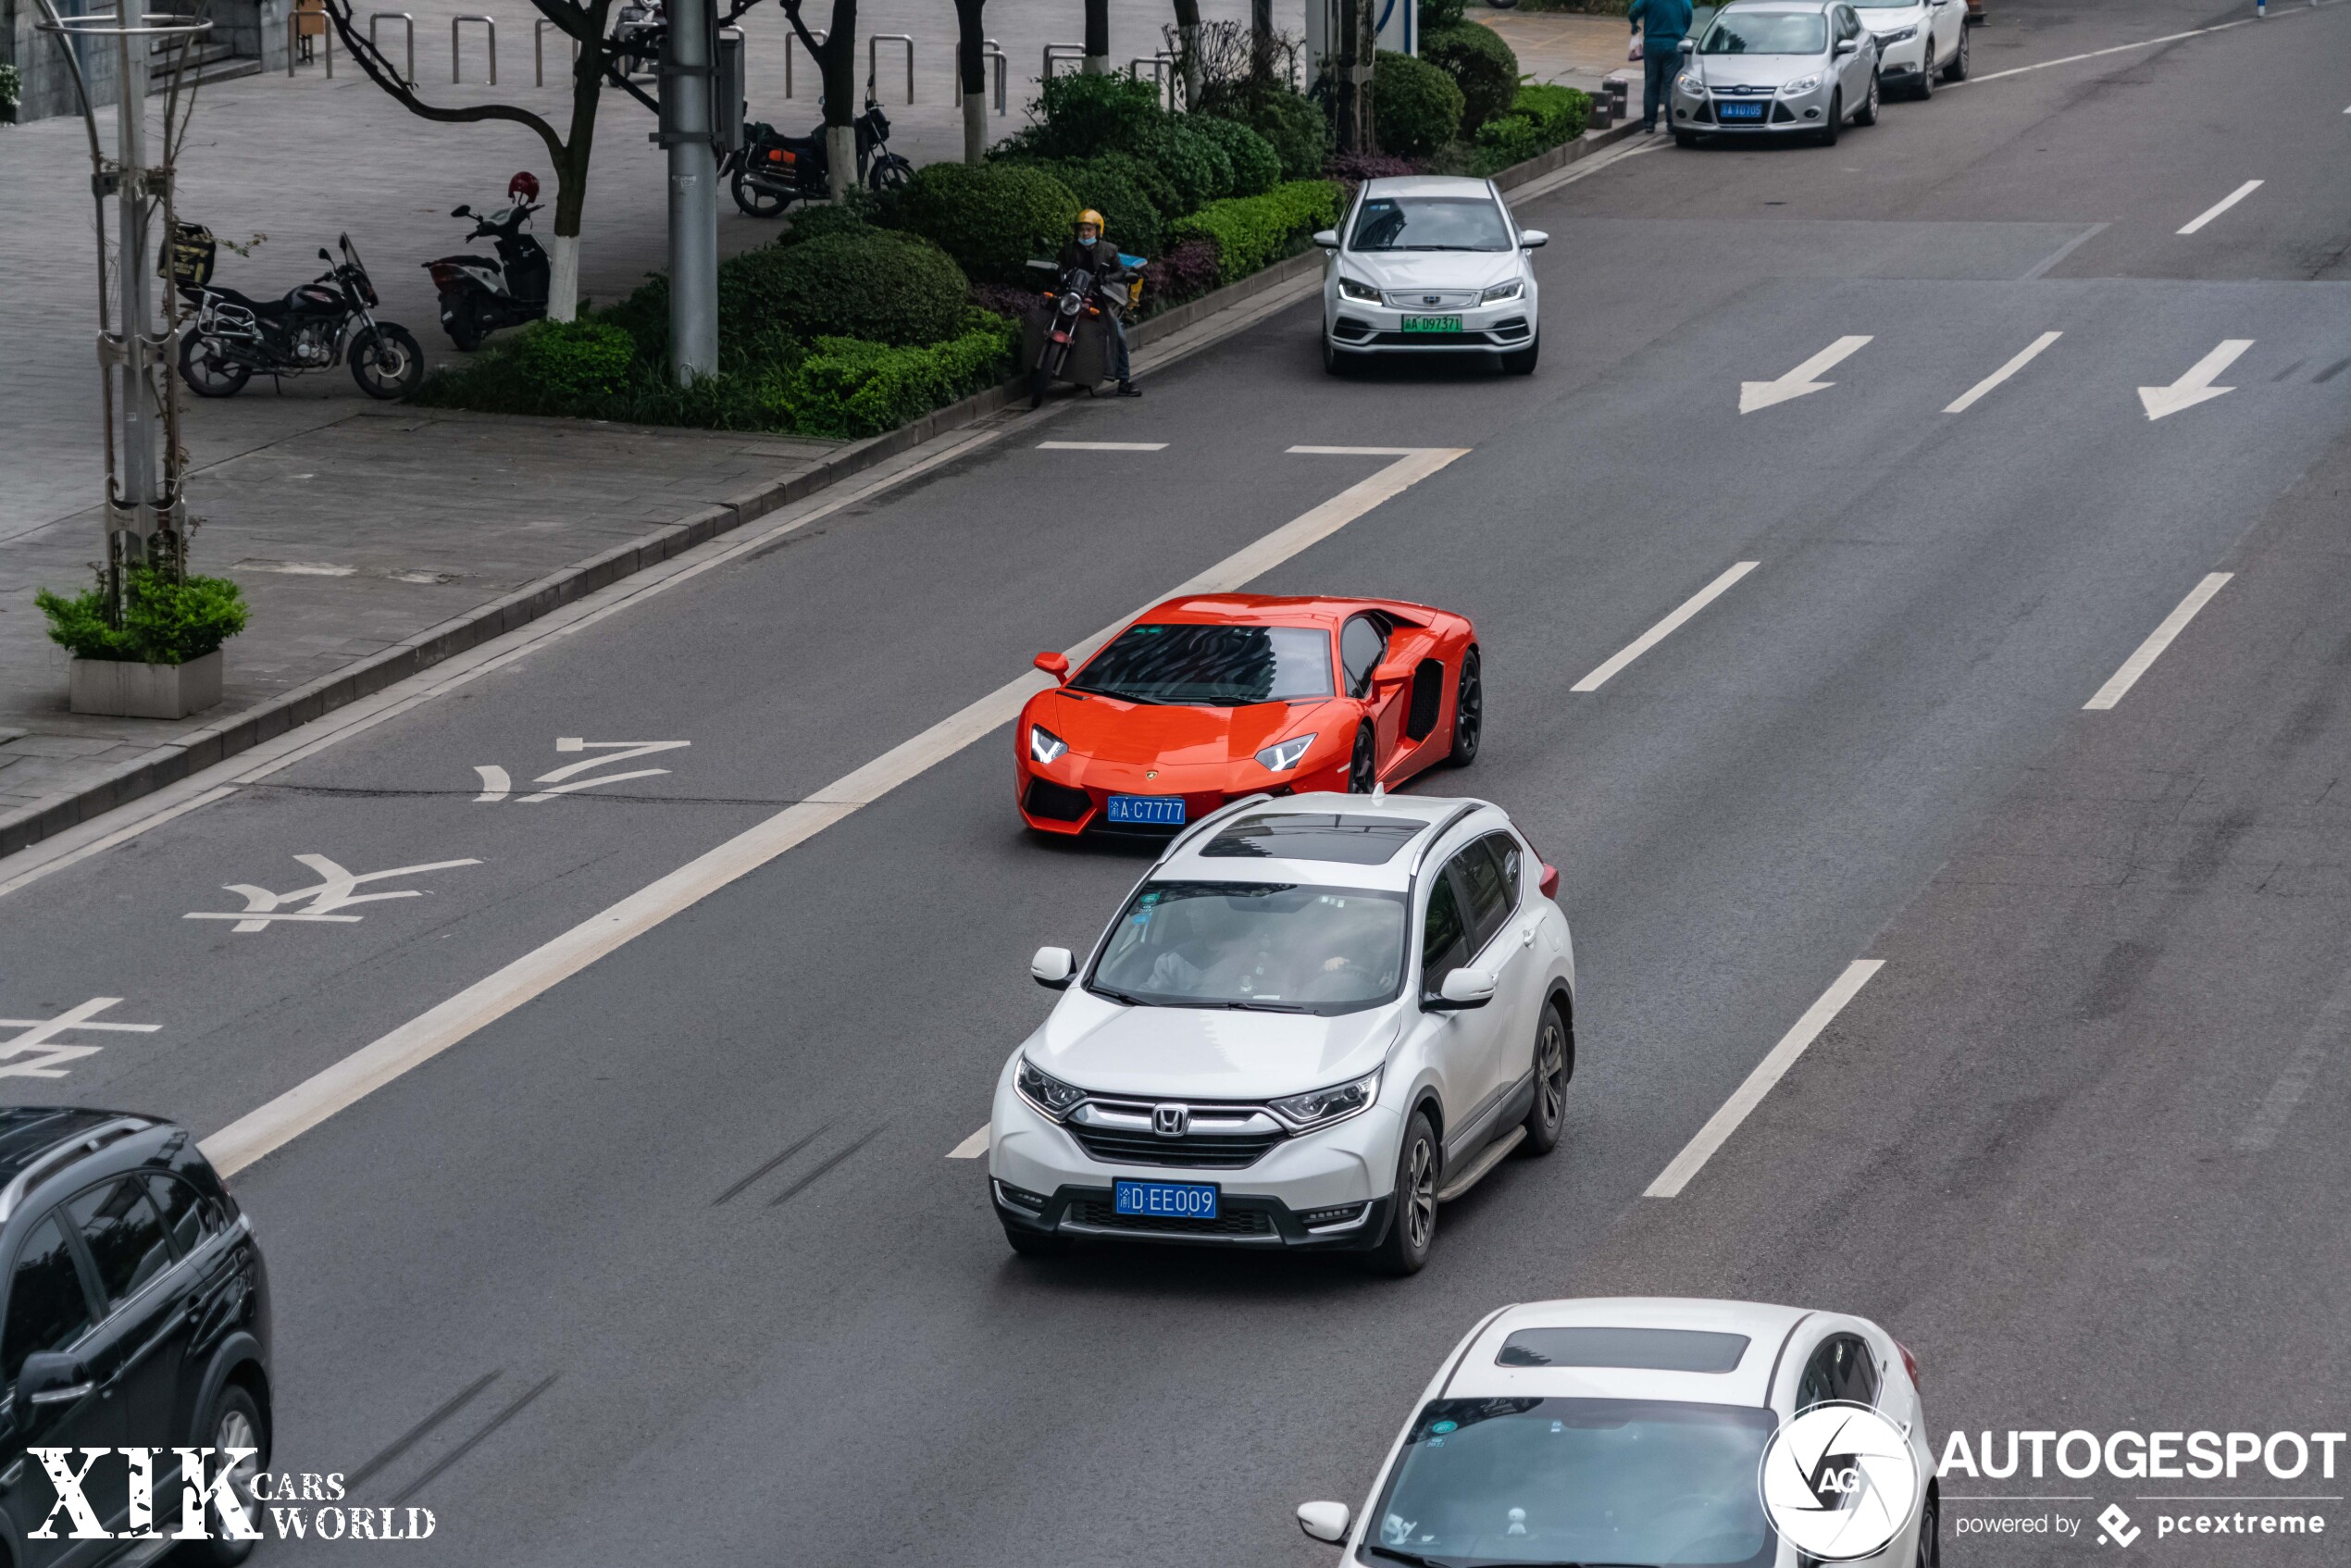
column 1635, row 1430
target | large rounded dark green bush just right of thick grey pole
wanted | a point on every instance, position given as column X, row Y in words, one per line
column 866, row 283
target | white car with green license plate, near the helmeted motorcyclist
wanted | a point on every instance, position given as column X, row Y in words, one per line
column 1431, row 264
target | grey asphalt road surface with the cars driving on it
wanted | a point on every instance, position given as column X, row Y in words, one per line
column 2077, row 1144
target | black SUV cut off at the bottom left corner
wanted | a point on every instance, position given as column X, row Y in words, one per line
column 138, row 1318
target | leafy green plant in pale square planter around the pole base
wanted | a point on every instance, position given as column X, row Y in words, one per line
column 156, row 659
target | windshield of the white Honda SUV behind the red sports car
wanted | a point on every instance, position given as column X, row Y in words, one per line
column 1264, row 946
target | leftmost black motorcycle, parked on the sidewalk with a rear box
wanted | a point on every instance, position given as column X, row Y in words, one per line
column 316, row 326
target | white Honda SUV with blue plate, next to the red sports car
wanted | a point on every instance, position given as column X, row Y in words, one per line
column 1315, row 1021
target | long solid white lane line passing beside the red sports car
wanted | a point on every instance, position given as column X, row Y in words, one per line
column 488, row 1000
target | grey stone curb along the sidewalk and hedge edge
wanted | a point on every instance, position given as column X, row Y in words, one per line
column 429, row 648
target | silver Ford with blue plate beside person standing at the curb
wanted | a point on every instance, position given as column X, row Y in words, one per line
column 1776, row 67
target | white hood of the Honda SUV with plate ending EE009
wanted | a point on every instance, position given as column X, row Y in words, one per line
column 1207, row 1054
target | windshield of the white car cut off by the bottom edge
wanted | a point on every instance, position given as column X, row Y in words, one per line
column 1487, row 1482
